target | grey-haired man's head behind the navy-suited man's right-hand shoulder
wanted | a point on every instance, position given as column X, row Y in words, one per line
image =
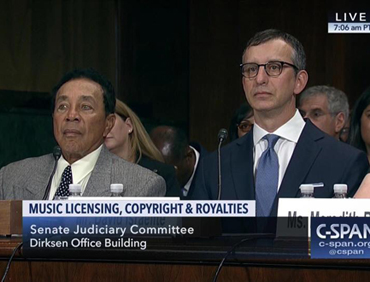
column 326, row 107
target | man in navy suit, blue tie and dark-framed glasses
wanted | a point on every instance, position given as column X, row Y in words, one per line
column 282, row 151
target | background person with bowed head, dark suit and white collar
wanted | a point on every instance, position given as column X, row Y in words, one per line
column 173, row 143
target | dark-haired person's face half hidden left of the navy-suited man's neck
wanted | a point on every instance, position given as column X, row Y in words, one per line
column 242, row 122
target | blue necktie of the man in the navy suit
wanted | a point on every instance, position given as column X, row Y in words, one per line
column 267, row 177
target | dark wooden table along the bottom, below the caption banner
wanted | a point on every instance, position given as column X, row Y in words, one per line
column 182, row 260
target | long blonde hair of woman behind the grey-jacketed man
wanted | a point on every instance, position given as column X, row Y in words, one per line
column 140, row 142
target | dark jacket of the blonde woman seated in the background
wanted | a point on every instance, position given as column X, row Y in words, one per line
column 166, row 171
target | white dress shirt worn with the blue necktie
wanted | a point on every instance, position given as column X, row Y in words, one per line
column 289, row 134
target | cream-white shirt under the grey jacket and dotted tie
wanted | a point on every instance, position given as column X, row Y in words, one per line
column 81, row 171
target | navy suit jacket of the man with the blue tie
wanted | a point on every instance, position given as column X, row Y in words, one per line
column 317, row 157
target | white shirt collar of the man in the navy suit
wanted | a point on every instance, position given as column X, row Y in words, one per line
column 291, row 130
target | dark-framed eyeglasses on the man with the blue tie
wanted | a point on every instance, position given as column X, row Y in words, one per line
column 273, row 68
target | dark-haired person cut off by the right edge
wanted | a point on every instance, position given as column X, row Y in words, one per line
column 359, row 131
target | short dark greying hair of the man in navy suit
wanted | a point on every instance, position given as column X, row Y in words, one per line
column 298, row 57
